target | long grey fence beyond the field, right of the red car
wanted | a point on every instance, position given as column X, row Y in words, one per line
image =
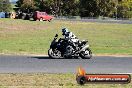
column 95, row 19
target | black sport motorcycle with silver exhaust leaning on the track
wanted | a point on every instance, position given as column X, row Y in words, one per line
column 63, row 48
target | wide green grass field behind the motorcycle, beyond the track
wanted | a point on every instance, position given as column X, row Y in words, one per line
column 34, row 37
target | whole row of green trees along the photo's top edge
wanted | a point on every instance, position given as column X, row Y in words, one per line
column 83, row 8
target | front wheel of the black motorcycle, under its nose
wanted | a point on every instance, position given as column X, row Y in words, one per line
column 55, row 54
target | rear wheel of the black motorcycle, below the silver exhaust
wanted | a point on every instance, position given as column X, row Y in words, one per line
column 87, row 54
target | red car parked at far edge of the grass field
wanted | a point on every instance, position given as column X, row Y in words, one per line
column 42, row 16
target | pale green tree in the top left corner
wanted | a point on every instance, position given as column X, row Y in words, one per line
column 5, row 6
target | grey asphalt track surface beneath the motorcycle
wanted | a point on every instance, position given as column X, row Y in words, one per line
column 29, row 64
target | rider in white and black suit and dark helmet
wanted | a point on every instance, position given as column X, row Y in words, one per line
column 70, row 36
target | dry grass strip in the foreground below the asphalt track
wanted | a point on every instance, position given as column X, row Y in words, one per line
column 39, row 80
